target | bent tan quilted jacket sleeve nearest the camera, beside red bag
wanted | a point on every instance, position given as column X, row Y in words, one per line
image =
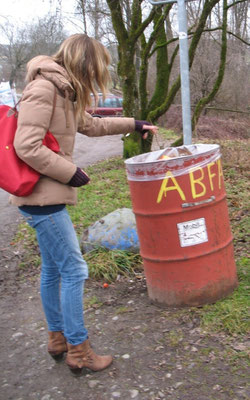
column 33, row 123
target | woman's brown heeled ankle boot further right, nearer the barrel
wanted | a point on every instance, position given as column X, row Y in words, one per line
column 83, row 356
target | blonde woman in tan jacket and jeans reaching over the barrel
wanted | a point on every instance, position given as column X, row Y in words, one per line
column 55, row 99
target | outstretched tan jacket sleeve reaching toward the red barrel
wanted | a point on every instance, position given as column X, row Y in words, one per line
column 95, row 126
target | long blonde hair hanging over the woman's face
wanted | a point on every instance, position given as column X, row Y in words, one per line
column 86, row 61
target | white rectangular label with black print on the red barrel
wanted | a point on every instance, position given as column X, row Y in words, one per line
column 192, row 232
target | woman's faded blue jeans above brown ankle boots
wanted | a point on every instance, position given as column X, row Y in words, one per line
column 63, row 274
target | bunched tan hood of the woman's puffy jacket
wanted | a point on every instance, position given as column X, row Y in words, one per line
column 46, row 67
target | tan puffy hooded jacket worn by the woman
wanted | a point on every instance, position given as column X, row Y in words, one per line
column 35, row 120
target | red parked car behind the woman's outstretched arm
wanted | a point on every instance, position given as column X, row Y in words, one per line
column 111, row 106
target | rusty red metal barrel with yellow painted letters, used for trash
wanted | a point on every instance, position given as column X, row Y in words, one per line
column 183, row 224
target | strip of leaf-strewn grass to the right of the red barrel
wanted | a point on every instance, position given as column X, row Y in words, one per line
column 231, row 315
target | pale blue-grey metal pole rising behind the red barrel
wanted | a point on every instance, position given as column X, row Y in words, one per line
column 184, row 67
